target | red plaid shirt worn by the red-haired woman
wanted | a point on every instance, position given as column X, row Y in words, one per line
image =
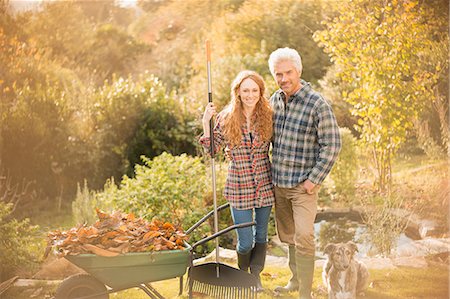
column 249, row 182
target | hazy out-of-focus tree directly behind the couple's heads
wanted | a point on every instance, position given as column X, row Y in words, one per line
column 244, row 37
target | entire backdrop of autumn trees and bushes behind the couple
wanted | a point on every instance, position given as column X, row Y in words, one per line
column 88, row 87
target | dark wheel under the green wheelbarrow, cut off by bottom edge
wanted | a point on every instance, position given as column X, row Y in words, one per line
column 80, row 285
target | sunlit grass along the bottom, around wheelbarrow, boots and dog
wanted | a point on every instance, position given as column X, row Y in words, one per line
column 431, row 282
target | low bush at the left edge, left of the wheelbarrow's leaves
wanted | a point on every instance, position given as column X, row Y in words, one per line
column 16, row 237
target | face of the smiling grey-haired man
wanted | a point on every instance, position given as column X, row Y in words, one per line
column 287, row 77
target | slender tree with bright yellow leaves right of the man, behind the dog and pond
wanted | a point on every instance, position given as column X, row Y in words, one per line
column 379, row 47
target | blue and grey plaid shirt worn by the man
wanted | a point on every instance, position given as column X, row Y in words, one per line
column 306, row 140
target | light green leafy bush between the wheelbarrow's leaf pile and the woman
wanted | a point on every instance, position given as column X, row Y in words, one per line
column 170, row 188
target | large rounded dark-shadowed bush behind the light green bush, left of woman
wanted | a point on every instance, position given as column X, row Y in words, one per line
column 130, row 118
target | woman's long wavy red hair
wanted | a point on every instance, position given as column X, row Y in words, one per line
column 234, row 118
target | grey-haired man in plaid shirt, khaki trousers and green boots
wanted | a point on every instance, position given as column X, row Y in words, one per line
column 306, row 143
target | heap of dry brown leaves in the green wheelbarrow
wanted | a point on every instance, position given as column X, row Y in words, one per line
column 117, row 233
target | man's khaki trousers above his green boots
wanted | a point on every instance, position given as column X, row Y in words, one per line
column 295, row 212
